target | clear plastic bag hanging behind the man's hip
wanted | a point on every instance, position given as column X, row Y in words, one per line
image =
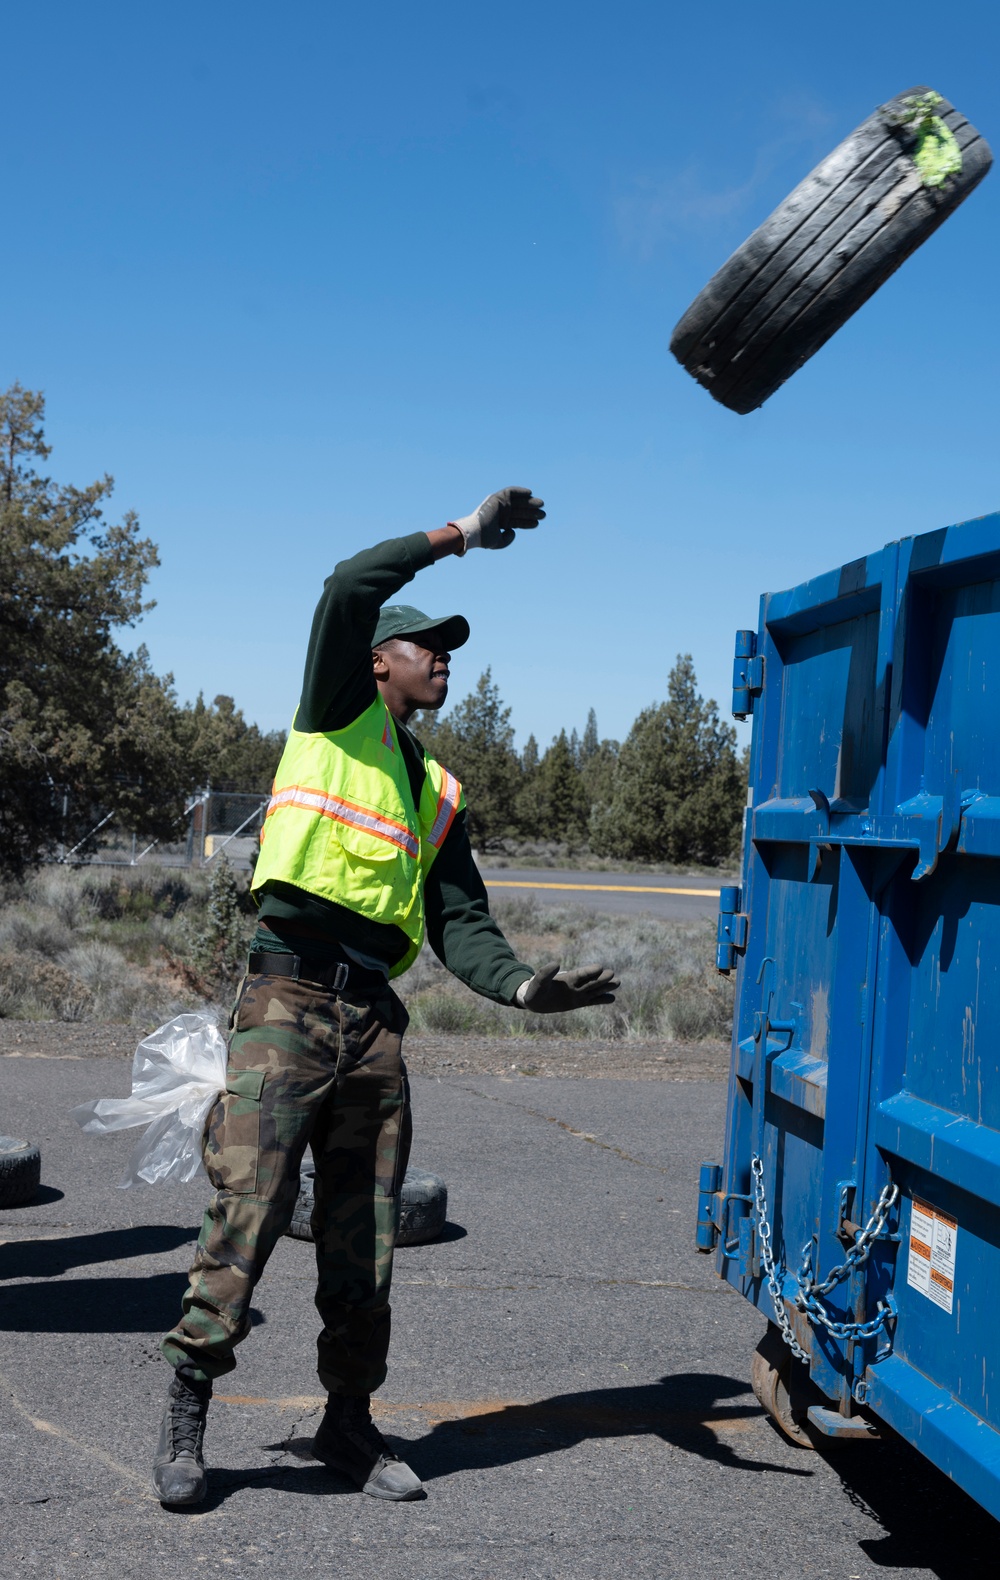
column 178, row 1074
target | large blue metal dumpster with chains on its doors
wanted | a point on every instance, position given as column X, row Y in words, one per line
column 859, row 1203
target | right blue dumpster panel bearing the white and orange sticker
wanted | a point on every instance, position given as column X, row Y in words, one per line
column 936, row 1080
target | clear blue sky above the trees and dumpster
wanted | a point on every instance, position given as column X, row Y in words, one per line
column 304, row 277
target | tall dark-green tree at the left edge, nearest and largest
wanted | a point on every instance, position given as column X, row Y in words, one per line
column 85, row 728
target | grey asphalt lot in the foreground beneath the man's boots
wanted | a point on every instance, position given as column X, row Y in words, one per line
column 568, row 1374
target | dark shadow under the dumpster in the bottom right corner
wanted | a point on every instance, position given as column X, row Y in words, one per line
column 925, row 1524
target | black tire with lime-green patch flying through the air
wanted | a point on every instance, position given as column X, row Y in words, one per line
column 821, row 257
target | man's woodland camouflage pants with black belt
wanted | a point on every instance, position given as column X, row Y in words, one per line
column 307, row 1066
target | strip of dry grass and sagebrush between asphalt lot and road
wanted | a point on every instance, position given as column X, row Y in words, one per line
column 97, row 944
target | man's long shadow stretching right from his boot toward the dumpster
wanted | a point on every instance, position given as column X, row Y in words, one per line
column 682, row 1410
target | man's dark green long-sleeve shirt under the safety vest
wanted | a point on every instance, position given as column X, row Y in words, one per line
column 337, row 688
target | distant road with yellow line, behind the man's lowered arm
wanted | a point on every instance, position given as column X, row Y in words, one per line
column 658, row 895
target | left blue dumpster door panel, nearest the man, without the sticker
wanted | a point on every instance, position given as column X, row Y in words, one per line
column 802, row 1058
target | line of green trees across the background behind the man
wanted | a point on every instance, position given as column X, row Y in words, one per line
column 88, row 729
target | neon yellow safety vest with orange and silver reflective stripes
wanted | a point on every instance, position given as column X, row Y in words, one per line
column 342, row 824
